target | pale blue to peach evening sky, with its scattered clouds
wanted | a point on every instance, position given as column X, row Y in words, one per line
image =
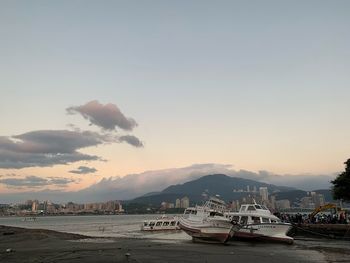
column 98, row 89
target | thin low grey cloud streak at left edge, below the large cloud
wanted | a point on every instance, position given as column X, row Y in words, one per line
column 35, row 182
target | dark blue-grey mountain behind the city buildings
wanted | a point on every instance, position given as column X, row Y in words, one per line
column 229, row 188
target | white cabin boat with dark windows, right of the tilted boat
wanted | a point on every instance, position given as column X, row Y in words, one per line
column 259, row 223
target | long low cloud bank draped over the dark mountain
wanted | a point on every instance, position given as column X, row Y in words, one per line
column 133, row 185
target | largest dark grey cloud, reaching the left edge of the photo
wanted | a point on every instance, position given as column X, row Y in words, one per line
column 49, row 147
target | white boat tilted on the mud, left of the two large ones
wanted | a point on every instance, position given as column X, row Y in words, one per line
column 207, row 222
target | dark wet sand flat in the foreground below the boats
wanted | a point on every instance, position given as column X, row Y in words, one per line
column 35, row 245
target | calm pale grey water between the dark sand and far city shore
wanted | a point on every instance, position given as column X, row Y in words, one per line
column 101, row 226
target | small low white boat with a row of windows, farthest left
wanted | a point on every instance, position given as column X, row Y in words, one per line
column 161, row 223
